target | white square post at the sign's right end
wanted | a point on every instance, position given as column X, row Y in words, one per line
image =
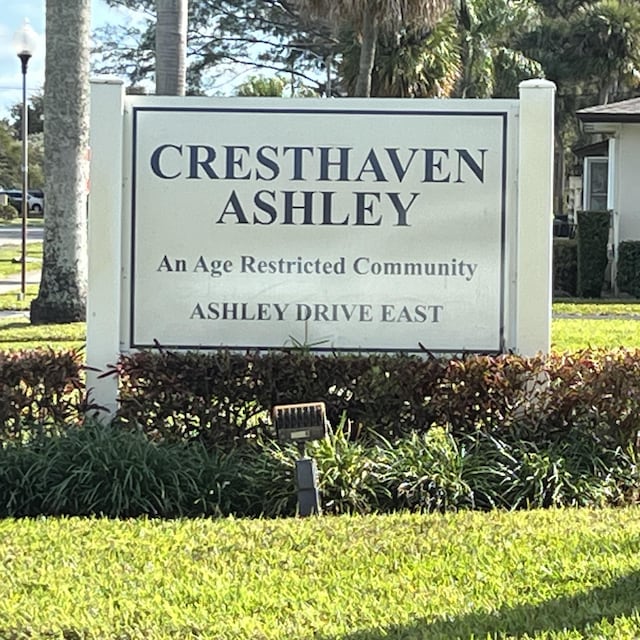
column 535, row 217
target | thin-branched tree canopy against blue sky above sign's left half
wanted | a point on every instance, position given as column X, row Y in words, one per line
column 226, row 38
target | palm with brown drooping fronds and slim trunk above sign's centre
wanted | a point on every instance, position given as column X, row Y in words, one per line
column 366, row 18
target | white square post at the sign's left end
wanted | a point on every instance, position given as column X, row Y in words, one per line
column 105, row 240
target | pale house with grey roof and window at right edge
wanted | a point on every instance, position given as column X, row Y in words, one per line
column 611, row 169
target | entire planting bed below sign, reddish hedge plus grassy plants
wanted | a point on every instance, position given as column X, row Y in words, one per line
column 194, row 435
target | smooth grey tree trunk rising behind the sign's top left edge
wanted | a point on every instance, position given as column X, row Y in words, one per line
column 171, row 47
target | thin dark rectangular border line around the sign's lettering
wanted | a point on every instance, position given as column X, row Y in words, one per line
column 502, row 114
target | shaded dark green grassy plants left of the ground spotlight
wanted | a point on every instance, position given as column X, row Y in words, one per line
column 102, row 470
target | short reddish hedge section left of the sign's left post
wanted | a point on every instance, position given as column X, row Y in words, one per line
column 39, row 389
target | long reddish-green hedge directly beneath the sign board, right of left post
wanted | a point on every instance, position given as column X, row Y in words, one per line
column 220, row 399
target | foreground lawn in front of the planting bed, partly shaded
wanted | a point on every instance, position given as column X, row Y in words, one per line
column 541, row 574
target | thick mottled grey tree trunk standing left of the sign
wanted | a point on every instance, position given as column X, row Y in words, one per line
column 63, row 287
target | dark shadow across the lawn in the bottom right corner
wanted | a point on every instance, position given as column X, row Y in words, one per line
column 572, row 613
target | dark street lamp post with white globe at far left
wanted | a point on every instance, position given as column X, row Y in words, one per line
column 24, row 42
